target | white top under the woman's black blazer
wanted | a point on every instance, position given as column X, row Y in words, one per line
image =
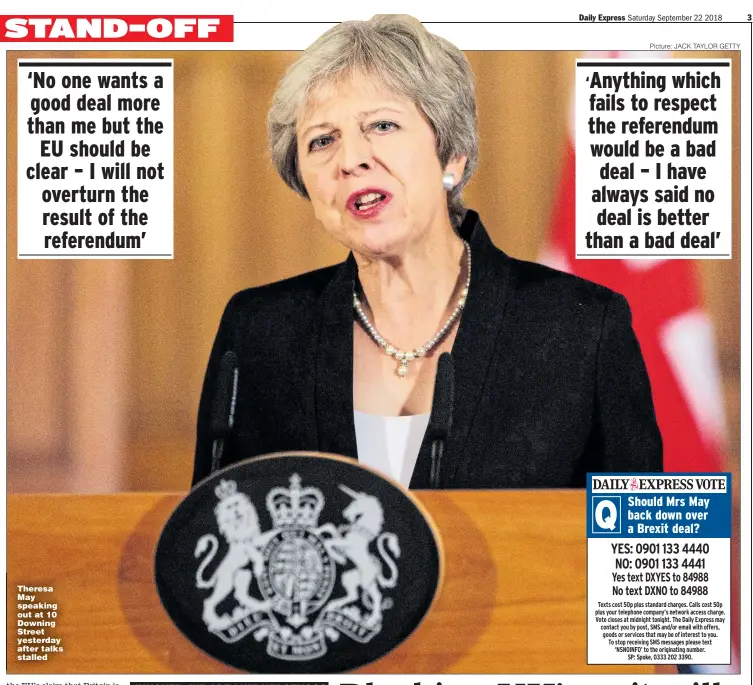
column 390, row 444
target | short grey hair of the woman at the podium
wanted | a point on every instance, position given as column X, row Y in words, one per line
column 399, row 52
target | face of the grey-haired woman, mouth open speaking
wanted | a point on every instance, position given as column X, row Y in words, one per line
column 368, row 159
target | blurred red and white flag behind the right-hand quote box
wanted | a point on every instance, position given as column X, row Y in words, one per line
column 676, row 338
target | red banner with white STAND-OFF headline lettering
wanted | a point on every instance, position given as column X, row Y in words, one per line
column 122, row 28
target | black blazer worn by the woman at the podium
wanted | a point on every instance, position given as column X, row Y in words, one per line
column 549, row 378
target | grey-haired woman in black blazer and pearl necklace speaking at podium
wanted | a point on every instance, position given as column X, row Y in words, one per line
column 376, row 125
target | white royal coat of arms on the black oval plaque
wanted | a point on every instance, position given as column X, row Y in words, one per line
column 303, row 595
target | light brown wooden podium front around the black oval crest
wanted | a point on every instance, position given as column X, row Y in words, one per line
column 513, row 599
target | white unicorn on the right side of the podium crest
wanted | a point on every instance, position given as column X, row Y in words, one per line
column 351, row 541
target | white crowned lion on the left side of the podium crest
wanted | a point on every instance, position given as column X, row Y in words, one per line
column 239, row 524
